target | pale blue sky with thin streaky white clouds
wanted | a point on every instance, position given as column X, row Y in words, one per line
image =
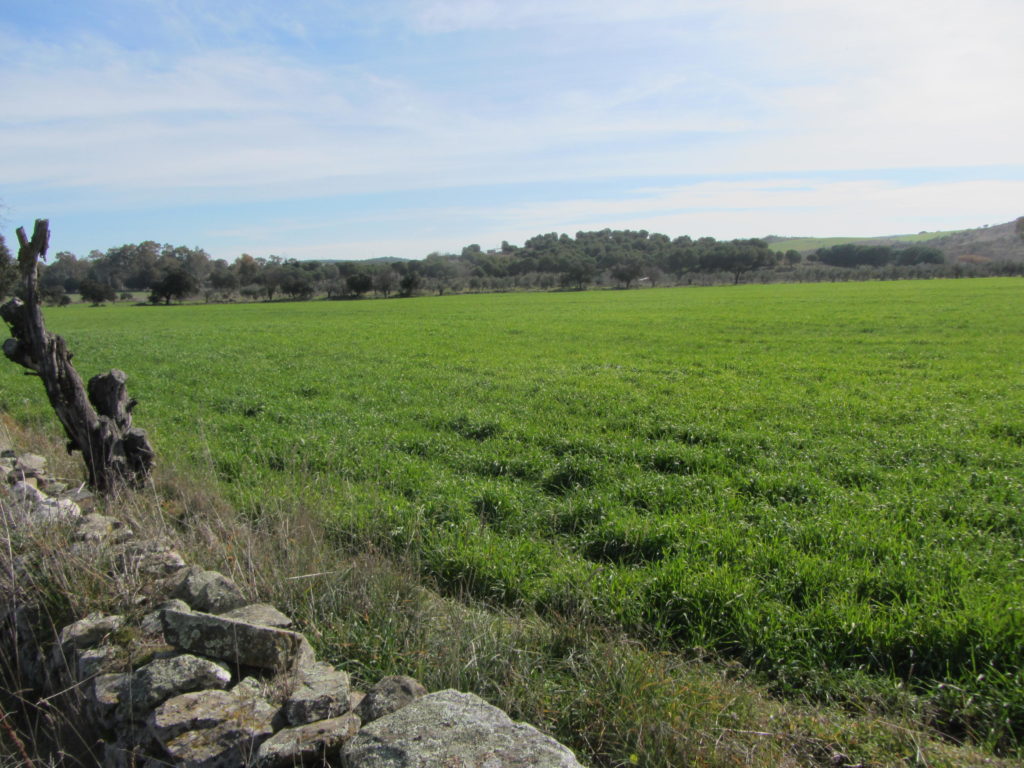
column 357, row 130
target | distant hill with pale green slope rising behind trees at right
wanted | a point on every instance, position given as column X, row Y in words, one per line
column 997, row 243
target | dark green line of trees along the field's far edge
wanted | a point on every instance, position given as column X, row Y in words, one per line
column 621, row 259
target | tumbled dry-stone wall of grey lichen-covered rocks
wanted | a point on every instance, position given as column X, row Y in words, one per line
column 200, row 677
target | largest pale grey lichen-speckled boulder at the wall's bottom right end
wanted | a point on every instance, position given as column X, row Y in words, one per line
column 450, row 729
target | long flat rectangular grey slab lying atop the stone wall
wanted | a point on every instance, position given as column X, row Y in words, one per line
column 234, row 642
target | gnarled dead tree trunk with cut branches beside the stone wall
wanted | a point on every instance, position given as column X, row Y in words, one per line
column 99, row 424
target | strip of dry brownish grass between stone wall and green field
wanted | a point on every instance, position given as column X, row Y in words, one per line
column 616, row 702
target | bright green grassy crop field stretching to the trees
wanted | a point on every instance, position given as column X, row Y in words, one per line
column 825, row 483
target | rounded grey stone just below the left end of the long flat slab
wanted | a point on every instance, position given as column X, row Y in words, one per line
column 163, row 678
